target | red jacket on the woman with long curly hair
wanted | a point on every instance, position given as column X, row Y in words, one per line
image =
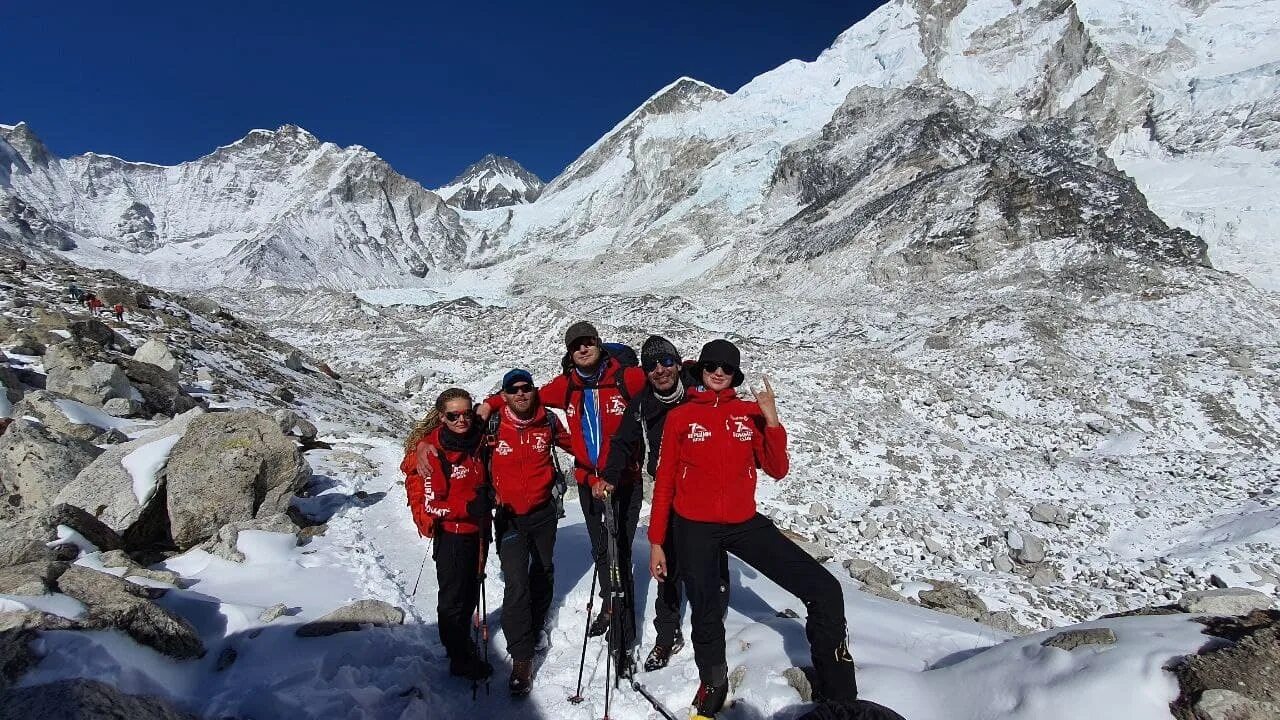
column 435, row 498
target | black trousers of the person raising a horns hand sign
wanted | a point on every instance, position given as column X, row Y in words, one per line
column 762, row 546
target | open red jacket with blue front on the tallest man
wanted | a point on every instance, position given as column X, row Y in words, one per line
column 566, row 394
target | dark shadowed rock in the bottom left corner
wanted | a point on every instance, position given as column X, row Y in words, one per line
column 84, row 700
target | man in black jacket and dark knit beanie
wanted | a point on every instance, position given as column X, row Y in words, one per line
column 639, row 436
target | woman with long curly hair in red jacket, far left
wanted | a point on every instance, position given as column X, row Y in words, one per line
column 445, row 482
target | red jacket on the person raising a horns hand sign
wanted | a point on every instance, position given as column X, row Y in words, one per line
column 711, row 449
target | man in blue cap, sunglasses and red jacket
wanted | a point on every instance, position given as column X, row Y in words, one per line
column 523, row 439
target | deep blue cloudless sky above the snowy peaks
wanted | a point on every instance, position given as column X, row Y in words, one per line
column 429, row 86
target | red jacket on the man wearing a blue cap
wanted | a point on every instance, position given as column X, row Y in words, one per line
column 522, row 464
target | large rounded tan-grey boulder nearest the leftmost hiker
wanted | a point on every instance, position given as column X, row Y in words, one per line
column 231, row 467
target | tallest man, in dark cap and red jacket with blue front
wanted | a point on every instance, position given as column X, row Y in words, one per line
column 595, row 391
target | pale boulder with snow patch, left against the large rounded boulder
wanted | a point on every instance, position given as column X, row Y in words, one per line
column 107, row 487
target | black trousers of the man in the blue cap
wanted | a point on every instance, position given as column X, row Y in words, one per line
column 527, row 545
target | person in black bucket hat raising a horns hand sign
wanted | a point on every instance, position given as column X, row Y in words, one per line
column 707, row 468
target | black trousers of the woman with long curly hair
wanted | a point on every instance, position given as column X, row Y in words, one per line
column 458, row 568
